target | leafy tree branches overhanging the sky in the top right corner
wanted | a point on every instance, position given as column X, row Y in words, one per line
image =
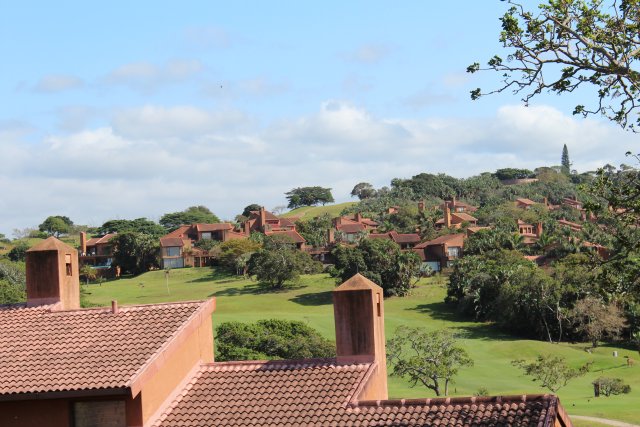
column 571, row 44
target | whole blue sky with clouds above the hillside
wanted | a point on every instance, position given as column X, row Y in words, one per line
column 129, row 109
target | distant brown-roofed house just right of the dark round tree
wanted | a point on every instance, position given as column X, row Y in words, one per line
column 177, row 249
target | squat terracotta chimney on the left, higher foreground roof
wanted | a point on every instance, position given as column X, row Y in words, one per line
column 52, row 275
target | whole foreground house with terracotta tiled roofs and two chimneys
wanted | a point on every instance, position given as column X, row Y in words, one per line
column 152, row 365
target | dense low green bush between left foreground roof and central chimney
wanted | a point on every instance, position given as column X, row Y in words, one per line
column 270, row 339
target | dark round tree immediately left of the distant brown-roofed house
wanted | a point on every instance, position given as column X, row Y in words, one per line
column 135, row 252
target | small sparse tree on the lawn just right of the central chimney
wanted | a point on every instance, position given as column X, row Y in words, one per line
column 429, row 358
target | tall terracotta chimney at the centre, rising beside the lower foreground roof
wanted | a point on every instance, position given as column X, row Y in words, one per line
column 358, row 309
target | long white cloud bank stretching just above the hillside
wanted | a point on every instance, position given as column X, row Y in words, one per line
column 154, row 160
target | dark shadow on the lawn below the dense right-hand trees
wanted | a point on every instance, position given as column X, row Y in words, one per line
column 462, row 325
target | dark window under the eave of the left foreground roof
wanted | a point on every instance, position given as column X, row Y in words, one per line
column 99, row 413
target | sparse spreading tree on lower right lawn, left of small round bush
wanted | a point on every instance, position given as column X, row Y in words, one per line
column 552, row 372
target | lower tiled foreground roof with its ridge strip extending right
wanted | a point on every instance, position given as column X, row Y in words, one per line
column 324, row 393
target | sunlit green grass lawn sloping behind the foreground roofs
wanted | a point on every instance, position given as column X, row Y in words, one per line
column 310, row 301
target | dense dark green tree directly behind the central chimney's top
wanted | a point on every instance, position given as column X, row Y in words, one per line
column 381, row 261
